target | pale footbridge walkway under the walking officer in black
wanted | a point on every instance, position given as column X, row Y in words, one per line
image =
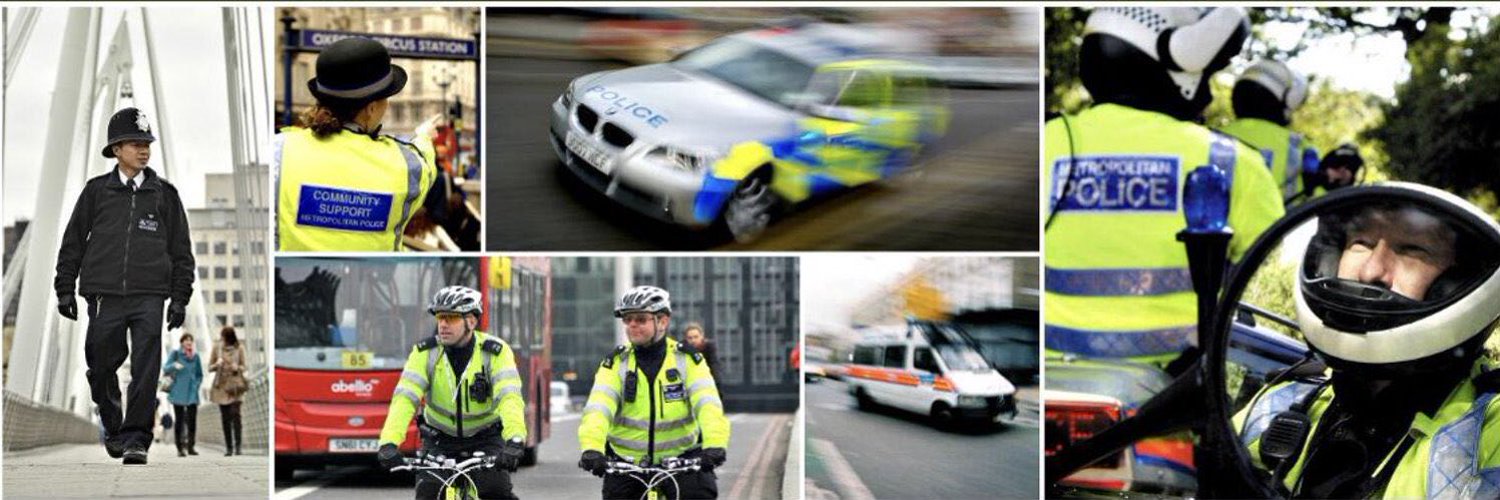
column 86, row 472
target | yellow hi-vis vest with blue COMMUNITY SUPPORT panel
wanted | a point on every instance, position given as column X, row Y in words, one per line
column 347, row 191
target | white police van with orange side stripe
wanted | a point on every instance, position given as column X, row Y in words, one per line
column 929, row 369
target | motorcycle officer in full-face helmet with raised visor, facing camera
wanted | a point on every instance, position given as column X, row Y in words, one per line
column 1399, row 301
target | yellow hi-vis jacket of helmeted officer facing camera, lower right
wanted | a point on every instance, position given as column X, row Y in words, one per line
column 1456, row 453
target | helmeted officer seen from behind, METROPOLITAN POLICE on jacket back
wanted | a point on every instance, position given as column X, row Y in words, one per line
column 1118, row 282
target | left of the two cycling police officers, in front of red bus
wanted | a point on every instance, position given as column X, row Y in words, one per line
column 469, row 388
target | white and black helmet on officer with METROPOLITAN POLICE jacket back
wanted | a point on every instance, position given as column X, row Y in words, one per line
column 1159, row 59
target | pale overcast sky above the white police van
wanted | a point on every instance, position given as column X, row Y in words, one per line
column 833, row 283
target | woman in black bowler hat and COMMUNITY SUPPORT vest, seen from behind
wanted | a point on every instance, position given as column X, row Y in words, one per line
column 340, row 184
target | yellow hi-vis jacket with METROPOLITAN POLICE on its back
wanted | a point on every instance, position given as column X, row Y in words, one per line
column 1117, row 277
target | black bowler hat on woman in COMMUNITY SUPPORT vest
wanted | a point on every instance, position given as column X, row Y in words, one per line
column 356, row 71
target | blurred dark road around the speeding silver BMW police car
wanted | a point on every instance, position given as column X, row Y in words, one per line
column 979, row 188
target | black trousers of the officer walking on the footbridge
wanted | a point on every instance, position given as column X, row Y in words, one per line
column 112, row 322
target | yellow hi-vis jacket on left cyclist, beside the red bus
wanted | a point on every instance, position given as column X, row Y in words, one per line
column 428, row 382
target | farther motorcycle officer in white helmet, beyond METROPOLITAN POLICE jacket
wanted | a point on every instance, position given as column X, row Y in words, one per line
column 1265, row 97
